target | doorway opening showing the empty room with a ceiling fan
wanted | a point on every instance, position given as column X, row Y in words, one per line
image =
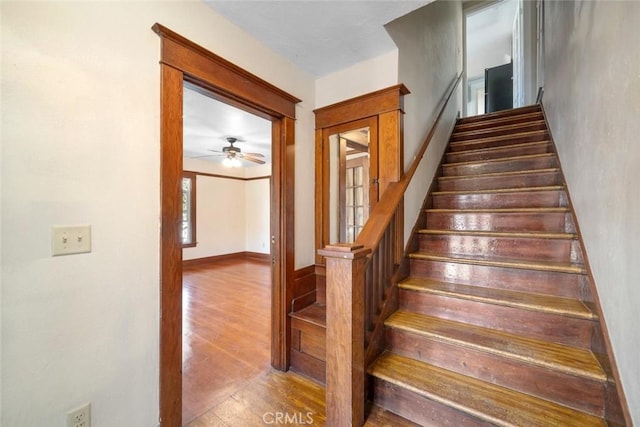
column 226, row 250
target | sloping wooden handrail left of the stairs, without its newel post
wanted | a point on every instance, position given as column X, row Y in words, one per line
column 383, row 211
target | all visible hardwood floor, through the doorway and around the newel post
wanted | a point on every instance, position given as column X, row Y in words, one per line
column 227, row 377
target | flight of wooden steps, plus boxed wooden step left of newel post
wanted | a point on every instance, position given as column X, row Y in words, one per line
column 496, row 322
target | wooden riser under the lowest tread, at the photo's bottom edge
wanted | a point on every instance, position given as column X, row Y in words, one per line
column 419, row 409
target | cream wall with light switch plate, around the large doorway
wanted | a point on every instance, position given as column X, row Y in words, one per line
column 80, row 144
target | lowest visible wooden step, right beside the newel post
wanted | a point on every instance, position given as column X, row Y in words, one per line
column 469, row 400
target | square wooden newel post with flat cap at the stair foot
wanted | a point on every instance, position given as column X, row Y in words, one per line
column 345, row 273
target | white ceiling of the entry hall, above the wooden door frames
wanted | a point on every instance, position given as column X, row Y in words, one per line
column 319, row 36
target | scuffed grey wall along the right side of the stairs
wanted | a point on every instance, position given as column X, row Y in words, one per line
column 592, row 99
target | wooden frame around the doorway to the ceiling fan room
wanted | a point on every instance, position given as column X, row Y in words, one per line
column 184, row 61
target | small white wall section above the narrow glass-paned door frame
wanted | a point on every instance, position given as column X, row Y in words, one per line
column 359, row 79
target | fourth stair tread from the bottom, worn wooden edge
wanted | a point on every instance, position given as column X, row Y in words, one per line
column 503, row 262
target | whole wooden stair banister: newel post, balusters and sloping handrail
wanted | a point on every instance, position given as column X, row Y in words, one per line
column 360, row 278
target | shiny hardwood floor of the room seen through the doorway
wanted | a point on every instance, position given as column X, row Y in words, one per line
column 226, row 331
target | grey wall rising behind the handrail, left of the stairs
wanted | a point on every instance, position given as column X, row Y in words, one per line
column 429, row 42
